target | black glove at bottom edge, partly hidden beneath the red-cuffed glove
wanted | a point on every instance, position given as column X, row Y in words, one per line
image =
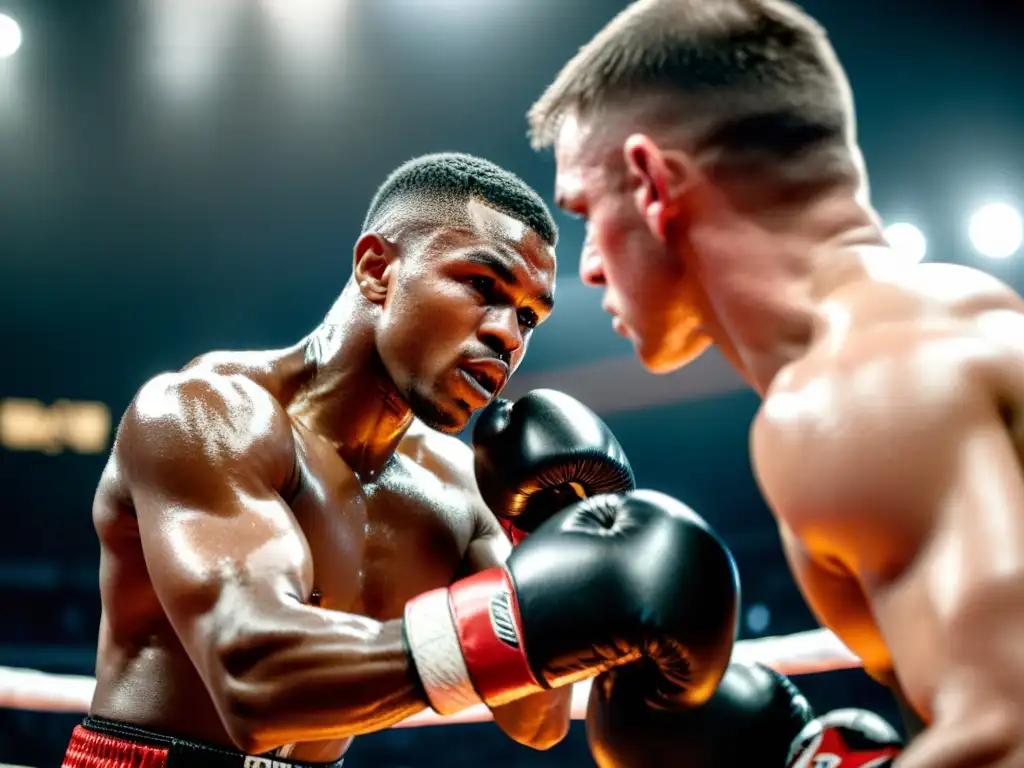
column 751, row 721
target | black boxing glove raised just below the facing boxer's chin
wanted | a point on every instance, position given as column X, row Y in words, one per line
column 539, row 455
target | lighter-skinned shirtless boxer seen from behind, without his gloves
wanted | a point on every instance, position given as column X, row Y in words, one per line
column 711, row 148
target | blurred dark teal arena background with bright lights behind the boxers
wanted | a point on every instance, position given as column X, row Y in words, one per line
column 185, row 176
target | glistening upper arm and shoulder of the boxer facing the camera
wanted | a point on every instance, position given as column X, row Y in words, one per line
column 204, row 459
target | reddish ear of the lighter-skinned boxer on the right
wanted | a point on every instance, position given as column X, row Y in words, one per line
column 665, row 178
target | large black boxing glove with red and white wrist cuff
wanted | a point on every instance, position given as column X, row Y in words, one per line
column 612, row 580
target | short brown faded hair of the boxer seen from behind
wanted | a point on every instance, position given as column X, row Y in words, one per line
column 756, row 77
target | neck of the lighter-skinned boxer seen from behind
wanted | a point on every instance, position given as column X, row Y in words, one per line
column 764, row 301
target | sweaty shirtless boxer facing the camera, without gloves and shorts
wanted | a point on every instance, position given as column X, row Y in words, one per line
column 265, row 517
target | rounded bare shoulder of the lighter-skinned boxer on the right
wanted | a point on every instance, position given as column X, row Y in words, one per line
column 875, row 430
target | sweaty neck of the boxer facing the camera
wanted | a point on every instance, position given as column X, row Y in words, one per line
column 349, row 398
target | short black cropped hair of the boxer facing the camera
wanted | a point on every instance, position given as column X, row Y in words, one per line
column 435, row 189
